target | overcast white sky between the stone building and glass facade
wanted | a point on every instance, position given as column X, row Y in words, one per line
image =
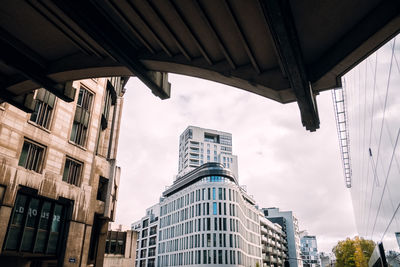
column 281, row 163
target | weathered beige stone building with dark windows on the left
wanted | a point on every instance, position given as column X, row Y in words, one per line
column 58, row 175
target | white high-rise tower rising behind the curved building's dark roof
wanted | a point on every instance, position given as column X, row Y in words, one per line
column 198, row 146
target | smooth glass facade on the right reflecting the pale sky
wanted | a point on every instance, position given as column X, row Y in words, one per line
column 372, row 97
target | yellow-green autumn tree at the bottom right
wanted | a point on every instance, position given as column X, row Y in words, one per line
column 353, row 252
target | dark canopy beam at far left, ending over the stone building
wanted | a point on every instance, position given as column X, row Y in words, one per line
column 29, row 64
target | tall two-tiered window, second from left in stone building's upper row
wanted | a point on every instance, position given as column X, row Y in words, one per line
column 81, row 118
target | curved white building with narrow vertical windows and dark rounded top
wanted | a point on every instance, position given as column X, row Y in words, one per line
column 206, row 218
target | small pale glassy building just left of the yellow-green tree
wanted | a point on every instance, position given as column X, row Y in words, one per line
column 309, row 250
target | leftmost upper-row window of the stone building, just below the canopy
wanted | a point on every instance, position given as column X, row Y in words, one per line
column 43, row 108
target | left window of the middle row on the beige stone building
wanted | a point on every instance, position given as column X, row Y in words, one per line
column 32, row 156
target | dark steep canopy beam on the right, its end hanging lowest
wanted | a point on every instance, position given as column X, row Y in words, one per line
column 283, row 31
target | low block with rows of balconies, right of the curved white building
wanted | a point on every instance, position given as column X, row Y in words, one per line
column 273, row 243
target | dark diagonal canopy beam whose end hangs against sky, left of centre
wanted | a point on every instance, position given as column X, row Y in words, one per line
column 99, row 25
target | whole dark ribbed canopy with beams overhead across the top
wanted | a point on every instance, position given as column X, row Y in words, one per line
column 284, row 50
